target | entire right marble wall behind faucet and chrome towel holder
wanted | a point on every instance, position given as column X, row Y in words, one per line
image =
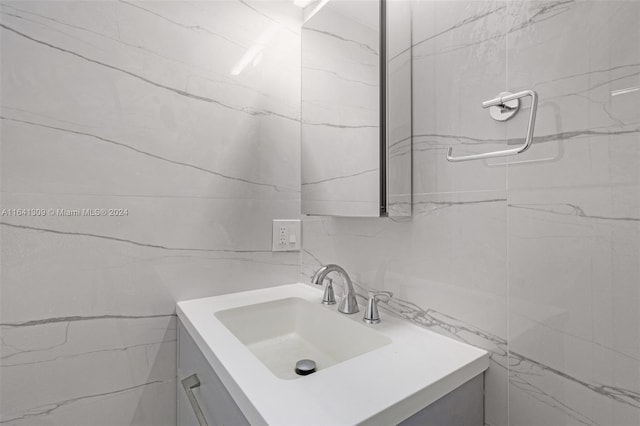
column 537, row 258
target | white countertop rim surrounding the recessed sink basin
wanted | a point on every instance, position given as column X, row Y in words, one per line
column 381, row 387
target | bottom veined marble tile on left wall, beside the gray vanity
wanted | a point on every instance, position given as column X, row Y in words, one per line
column 50, row 376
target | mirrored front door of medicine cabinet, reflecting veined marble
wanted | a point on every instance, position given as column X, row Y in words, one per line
column 340, row 114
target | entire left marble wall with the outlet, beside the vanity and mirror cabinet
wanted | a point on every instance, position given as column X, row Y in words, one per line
column 184, row 115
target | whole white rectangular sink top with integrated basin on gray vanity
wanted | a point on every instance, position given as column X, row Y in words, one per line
column 367, row 374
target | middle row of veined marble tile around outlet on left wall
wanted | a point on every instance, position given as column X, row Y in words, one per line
column 138, row 264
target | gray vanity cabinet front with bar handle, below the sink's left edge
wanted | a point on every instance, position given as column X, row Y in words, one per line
column 215, row 402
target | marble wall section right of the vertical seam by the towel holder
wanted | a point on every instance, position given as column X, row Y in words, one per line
column 574, row 215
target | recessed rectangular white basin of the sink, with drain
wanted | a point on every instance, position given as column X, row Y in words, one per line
column 281, row 332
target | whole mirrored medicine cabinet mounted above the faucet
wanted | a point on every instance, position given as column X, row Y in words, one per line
column 356, row 109
